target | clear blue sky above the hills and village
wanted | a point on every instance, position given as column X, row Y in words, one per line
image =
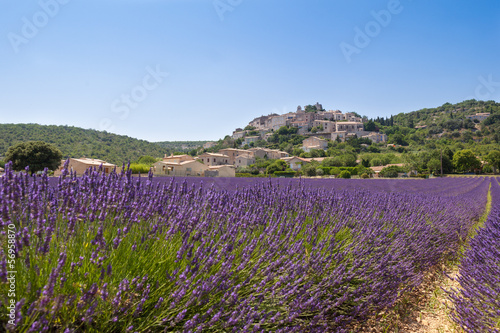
column 166, row 70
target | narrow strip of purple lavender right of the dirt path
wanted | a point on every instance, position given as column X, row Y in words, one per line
column 477, row 303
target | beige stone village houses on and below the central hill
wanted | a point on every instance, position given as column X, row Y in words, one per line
column 315, row 125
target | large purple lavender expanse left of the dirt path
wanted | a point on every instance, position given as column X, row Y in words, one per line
column 114, row 253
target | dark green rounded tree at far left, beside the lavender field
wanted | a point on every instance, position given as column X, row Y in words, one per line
column 35, row 154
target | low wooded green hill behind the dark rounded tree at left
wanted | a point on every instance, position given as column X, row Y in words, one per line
column 78, row 142
